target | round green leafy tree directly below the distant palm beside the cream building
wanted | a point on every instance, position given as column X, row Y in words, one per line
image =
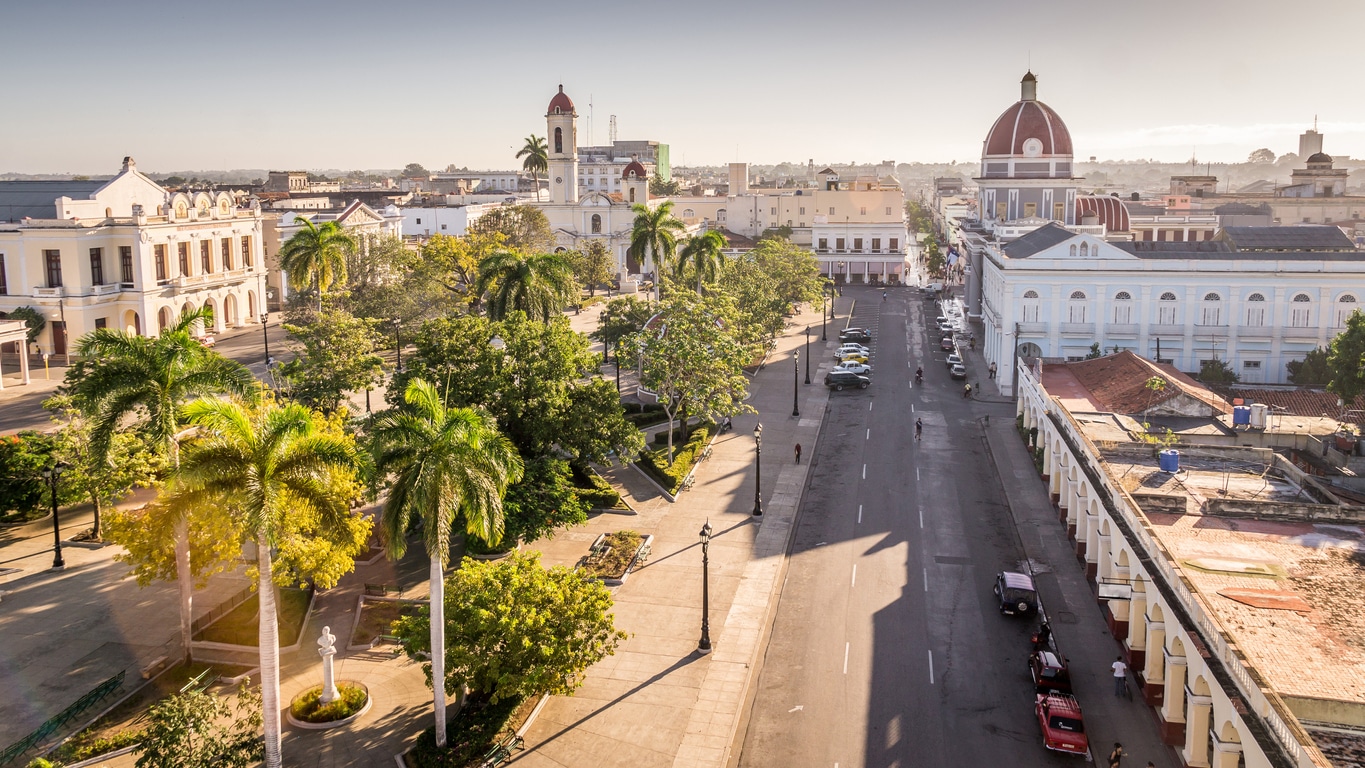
column 339, row 357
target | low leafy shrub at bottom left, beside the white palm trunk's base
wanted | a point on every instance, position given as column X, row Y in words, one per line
column 203, row 730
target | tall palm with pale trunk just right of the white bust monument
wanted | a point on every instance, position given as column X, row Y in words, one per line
column 450, row 464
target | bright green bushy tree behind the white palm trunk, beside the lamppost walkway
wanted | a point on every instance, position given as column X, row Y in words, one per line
column 517, row 628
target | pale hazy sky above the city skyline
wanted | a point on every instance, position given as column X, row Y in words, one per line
column 377, row 85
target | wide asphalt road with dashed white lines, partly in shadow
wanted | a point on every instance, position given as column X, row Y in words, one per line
column 888, row 649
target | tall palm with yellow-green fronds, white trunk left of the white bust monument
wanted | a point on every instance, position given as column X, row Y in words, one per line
column 265, row 464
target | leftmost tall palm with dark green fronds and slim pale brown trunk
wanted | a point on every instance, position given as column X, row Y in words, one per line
column 151, row 380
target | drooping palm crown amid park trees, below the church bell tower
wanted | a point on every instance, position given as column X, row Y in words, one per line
column 540, row 284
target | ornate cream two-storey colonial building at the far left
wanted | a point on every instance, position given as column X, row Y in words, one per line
column 126, row 253
